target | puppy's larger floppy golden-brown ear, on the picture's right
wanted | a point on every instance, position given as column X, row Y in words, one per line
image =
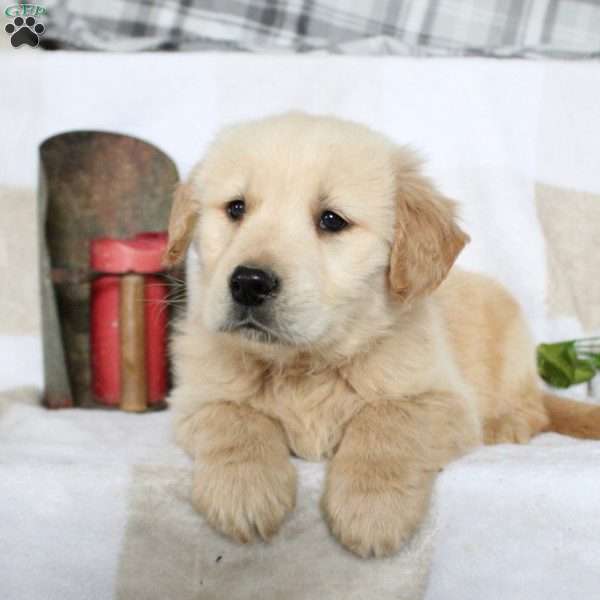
column 427, row 238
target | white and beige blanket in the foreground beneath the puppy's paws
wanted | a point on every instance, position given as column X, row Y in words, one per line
column 518, row 522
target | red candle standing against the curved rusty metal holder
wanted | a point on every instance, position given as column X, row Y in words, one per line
column 115, row 260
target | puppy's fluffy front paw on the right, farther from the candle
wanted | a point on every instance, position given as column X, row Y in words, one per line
column 371, row 516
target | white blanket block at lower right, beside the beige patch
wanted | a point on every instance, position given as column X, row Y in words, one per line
column 520, row 522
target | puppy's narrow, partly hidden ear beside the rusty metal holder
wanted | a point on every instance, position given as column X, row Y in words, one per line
column 184, row 214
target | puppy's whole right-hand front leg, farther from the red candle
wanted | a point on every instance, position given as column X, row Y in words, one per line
column 380, row 480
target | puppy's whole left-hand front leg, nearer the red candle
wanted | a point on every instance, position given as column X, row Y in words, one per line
column 244, row 483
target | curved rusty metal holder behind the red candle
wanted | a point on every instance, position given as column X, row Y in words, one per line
column 92, row 184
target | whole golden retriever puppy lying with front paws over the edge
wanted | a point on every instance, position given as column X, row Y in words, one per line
column 326, row 326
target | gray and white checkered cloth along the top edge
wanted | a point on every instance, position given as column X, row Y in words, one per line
column 501, row 28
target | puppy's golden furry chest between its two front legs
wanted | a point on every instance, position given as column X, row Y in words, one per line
column 313, row 410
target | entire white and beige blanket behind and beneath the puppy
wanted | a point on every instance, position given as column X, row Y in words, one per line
column 93, row 504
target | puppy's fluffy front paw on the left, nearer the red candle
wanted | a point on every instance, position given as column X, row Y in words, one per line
column 245, row 499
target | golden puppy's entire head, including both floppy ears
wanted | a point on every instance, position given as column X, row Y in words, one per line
column 303, row 229
